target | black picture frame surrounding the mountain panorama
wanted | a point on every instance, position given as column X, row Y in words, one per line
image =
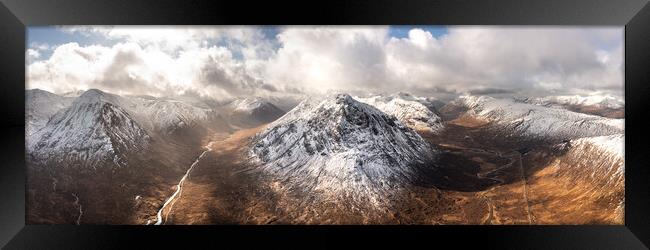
column 15, row 15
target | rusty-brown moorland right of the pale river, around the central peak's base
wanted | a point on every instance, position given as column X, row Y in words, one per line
column 479, row 183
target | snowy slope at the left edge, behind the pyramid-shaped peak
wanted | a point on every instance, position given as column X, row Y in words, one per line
column 40, row 106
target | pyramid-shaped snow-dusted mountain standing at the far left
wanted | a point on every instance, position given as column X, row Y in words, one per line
column 93, row 131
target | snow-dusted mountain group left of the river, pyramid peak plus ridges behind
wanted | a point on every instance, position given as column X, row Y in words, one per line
column 95, row 126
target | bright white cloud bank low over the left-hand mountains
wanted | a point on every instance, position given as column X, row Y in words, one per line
column 128, row 68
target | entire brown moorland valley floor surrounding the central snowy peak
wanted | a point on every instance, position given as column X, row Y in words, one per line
column 481, row 179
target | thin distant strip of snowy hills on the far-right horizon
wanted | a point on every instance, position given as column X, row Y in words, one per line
column 602, row 101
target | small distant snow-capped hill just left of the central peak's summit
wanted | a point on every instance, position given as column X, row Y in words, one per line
column 253, row 111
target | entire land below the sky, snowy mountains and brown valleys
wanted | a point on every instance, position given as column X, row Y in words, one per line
column 99, row 158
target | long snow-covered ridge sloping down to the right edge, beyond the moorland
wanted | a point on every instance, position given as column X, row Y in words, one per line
column 538, row 121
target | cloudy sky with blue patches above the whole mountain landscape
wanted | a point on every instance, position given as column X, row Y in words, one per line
column 233, row 61
